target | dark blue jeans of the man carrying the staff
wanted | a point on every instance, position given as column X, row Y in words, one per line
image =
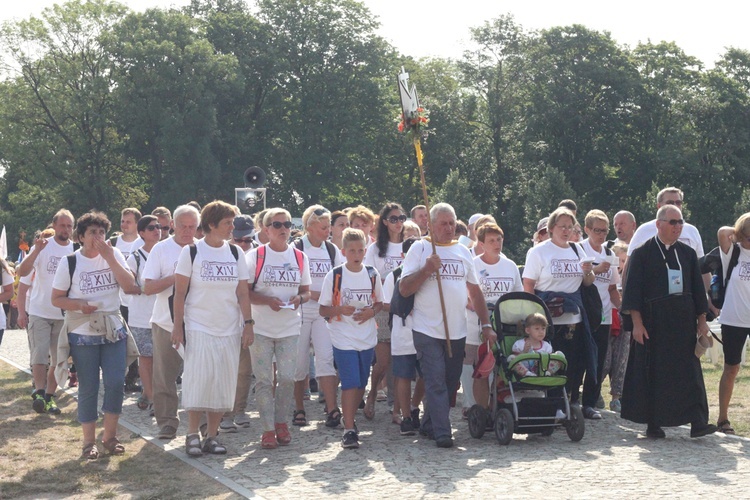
column 441, row 376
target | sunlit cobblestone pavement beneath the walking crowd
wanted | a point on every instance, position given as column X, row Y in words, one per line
column 613, row 459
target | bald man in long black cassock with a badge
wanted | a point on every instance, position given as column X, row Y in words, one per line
column 665, row 296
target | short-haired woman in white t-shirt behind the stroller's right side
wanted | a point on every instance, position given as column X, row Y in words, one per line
column 553, row 266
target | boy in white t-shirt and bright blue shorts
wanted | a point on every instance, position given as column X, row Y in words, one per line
column 357, row 298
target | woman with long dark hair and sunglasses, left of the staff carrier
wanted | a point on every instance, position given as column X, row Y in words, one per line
column 385, row 255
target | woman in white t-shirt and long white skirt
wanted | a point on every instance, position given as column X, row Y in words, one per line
column 211, row 300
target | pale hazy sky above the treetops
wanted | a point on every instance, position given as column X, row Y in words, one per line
column 422, row 28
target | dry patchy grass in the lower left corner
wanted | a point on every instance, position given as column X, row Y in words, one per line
column 40, row 456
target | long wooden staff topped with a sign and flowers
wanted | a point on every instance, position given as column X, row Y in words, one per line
column 412, row 123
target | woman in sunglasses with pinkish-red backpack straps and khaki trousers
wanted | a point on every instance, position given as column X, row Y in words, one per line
column 280, row 283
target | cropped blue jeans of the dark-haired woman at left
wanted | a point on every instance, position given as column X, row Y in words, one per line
column 89, row 359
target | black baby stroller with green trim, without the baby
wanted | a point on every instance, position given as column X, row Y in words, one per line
column 523, row 404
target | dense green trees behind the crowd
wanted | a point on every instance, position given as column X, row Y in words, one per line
column 103, row 108
